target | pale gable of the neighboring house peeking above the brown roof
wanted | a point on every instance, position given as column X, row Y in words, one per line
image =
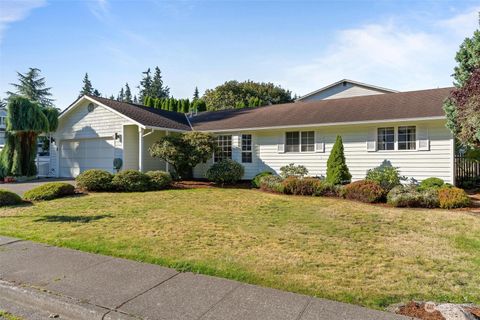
column 344, row 89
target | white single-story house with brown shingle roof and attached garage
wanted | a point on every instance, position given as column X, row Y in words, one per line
column 405, row 128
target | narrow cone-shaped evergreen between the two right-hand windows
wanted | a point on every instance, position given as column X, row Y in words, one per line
column 337, row 170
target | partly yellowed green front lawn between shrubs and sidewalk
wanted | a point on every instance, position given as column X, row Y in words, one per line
column 325, row 247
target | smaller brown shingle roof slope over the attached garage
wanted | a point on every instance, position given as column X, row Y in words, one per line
column 148, row 116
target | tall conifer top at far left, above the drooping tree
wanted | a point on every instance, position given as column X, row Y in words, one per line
column 32, row 87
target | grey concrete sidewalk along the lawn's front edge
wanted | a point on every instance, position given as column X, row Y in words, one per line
column 78, row 285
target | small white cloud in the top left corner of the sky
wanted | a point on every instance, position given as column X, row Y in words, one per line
column 12, row 11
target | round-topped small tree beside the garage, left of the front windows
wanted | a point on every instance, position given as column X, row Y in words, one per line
column 184, row 151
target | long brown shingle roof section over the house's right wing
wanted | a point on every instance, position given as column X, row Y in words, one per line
column 402, row 105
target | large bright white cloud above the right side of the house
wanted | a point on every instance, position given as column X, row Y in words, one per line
column 389, row 54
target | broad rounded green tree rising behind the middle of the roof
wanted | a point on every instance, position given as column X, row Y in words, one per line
column 234, row 94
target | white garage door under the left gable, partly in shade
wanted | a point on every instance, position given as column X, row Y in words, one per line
column 77, row 156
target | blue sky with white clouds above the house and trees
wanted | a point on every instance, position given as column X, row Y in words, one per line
column 299, row 45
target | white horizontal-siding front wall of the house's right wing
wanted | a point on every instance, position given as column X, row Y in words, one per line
column 437, row 161
